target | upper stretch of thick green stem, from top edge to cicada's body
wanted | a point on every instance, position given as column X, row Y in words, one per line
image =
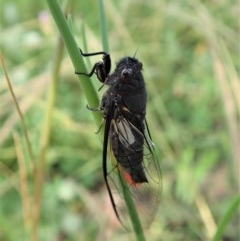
column 76, row 58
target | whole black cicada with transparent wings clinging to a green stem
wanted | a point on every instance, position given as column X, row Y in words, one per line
column 128, row 151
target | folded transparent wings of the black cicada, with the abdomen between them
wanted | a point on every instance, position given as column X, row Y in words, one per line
column 131, row 159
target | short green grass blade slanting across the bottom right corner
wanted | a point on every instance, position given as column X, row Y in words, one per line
column 226, row 218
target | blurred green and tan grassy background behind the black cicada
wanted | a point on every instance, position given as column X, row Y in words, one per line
column 190, row 55
